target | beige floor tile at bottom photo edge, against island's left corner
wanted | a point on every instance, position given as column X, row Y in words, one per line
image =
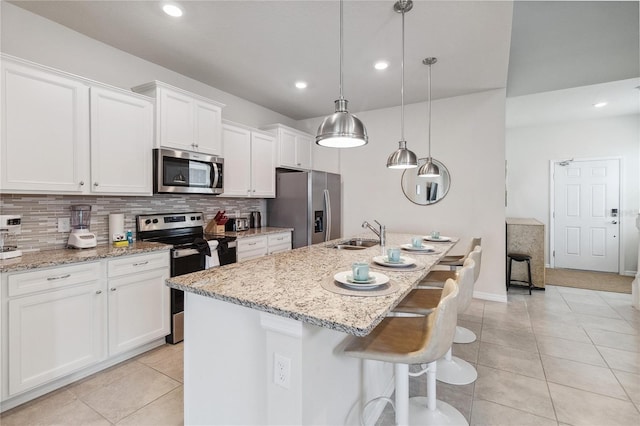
column 165, row 411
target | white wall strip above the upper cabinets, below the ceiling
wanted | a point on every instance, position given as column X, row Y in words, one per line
column 31, row 37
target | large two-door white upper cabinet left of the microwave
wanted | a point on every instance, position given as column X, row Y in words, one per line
column 66, row 135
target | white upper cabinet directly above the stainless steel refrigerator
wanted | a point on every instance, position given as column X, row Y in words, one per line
column 293, row 147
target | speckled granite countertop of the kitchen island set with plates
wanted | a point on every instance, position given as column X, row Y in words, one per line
column 288, row 284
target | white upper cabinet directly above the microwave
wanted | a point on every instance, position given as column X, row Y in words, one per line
column 185, row 121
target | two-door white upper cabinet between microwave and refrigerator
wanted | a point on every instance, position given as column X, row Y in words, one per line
column 249, row 167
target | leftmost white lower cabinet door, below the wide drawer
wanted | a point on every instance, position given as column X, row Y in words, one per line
column 55, row 333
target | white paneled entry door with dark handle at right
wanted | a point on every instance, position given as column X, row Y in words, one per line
column 587, row 202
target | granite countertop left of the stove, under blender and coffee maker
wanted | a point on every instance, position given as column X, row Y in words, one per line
column 49, row 258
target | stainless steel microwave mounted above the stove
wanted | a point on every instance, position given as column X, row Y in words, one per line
column 187, row 172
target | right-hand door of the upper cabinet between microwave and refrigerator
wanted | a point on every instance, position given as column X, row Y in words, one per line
column 263, row 168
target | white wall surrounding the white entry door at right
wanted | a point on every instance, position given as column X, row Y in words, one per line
column 529, row 150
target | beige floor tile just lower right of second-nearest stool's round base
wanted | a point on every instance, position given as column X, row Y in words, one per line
column 514, row 390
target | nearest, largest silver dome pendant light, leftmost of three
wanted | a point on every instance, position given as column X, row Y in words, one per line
column 341, row 129
